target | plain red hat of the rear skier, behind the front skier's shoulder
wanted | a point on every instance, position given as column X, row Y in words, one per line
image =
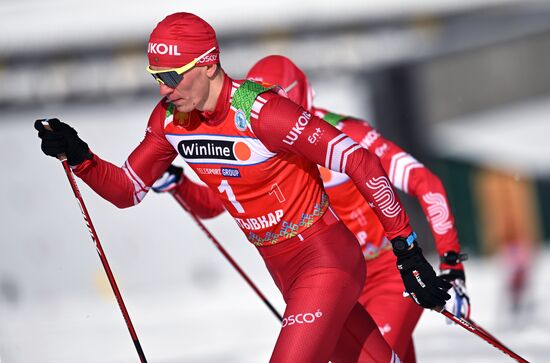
column 279, row 70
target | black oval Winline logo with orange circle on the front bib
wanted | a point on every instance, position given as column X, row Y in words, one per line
column 214, row 149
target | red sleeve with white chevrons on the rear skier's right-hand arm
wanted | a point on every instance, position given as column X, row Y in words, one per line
column 413, row 178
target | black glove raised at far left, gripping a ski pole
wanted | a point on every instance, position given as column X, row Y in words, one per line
column 62, row 140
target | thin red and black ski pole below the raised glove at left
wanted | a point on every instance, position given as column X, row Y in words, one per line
column 97, row 243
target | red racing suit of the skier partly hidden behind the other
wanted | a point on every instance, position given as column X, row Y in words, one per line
column 382, row 295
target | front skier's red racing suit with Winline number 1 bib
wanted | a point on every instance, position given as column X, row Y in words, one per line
column 259, row 151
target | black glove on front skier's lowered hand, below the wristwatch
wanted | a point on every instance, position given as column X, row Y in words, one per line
column 418, row 275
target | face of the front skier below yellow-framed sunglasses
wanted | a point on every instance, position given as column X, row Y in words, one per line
column 191, row 93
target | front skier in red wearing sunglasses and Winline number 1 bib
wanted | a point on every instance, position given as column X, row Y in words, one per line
column 254, row 148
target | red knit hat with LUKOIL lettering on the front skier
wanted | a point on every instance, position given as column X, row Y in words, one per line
column 180, row 38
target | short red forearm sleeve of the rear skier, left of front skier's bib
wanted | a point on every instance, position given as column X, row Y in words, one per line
column 198, row 198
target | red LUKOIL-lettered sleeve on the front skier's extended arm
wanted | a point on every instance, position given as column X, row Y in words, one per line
column 284, row 126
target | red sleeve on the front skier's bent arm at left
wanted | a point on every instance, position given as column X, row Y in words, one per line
column 127, row 185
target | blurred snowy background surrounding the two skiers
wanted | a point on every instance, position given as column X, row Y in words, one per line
column 462, row 85
